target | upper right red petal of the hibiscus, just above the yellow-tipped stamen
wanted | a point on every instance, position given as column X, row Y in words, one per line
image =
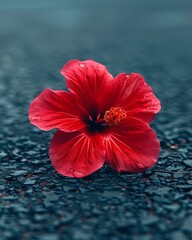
column 133, row 94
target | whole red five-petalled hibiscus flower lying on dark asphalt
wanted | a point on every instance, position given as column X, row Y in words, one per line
column 100, row 119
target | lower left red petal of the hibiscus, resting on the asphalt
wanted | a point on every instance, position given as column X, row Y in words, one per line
column 76, row 154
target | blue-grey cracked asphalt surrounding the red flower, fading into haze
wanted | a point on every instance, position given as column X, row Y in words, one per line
column 37, row 38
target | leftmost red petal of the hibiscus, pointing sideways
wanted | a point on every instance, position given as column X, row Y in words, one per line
column 55, row 109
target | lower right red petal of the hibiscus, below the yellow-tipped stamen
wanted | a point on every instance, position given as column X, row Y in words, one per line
column 131, row 146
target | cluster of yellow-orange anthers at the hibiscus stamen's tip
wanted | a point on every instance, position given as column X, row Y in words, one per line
column 114, row 115
